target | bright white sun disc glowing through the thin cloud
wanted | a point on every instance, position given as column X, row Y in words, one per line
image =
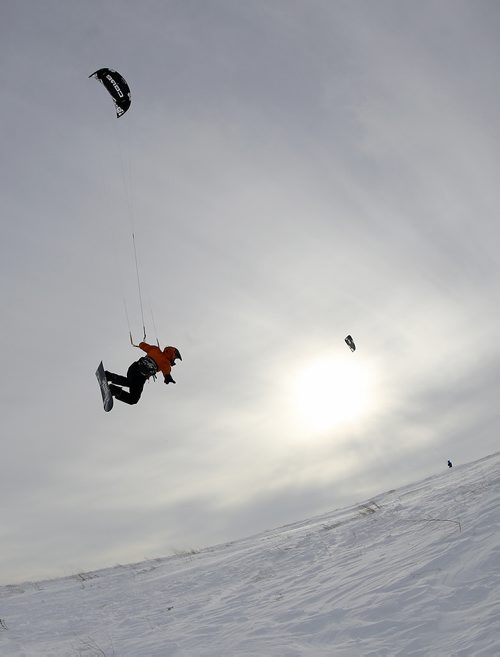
column 333, row 392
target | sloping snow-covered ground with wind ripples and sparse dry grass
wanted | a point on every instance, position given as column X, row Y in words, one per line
column 412, row 572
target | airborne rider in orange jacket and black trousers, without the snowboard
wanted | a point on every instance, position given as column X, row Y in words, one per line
column 156, row 360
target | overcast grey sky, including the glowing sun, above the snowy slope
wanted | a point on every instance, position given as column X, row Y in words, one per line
column 293, row 171
